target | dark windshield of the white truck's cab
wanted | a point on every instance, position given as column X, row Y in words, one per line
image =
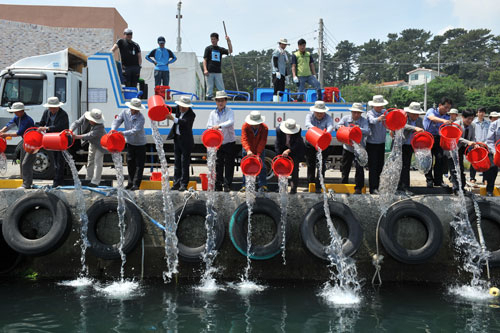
column 28, row 91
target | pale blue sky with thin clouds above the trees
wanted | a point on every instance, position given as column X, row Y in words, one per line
column 258, row 25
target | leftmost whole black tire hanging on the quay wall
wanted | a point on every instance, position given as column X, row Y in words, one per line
column 55, row 236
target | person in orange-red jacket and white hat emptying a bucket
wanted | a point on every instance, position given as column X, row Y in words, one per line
column 253, row 141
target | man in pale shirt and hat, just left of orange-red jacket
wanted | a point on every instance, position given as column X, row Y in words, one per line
column 222, row 118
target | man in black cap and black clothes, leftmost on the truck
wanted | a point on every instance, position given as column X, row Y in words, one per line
column 130, row 54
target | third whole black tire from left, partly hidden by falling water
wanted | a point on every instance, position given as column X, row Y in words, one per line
column 197, row 208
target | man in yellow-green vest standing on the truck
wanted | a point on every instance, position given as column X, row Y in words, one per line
column 303, row 70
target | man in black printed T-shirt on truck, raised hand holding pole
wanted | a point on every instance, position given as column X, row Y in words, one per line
column 212, row 63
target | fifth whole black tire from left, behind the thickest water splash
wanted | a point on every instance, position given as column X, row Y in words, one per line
column 338, row 211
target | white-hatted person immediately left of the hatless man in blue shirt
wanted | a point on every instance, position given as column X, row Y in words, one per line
column 414, row 124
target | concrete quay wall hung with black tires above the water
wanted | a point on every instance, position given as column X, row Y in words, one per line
column 301, row 265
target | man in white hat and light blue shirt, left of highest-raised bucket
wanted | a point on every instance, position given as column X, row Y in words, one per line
column 135, row 136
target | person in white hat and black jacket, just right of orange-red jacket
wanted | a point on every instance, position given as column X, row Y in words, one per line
column 289, row 142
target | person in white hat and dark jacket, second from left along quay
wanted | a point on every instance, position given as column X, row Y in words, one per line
column 55, row 120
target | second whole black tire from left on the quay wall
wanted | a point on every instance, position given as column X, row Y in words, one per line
column 133, row 229
